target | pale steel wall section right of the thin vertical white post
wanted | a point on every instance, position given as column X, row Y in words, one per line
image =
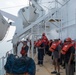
column 69, row 20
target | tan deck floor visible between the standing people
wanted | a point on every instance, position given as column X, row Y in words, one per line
column 47, row 67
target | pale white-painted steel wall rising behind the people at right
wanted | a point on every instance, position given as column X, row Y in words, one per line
column 67, row 26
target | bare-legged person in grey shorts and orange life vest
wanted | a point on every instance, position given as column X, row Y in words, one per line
column 55, row 48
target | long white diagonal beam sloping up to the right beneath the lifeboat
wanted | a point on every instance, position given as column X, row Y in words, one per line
column 48, row 15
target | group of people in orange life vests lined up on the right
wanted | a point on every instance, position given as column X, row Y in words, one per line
column 62, row 53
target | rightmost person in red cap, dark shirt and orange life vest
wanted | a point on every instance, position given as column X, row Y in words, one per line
column 68, row 51
